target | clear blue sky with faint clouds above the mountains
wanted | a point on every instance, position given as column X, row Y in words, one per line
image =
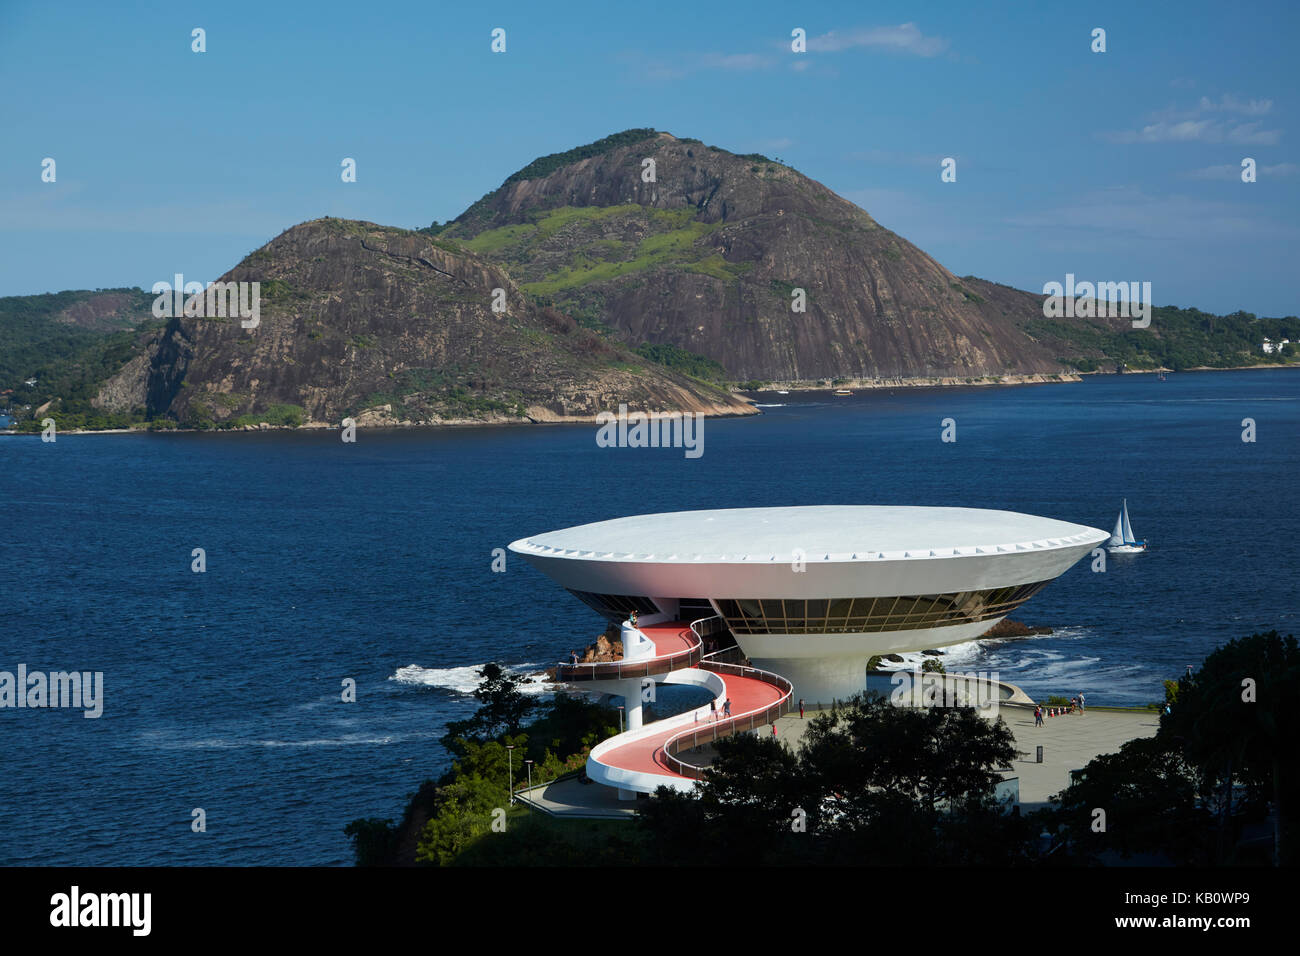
column 1117, row 166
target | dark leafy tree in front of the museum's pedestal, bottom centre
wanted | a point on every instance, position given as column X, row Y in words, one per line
column 876, row 784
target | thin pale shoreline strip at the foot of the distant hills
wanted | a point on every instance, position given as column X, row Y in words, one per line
column 748, row 395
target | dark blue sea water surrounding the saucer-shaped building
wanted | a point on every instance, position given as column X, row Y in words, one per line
column 374, row 561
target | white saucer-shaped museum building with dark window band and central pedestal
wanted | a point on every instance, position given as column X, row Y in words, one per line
column 814, row 592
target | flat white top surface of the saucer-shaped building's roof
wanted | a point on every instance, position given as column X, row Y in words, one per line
column 824, row 533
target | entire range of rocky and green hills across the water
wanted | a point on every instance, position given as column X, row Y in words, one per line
column 640, row 270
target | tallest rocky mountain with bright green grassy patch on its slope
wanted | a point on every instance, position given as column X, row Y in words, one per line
column 709, row 256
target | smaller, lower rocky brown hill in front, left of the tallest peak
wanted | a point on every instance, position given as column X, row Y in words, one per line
column 389, row 327
